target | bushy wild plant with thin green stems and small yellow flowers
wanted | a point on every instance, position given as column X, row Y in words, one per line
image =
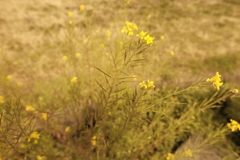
column 106, row 112
